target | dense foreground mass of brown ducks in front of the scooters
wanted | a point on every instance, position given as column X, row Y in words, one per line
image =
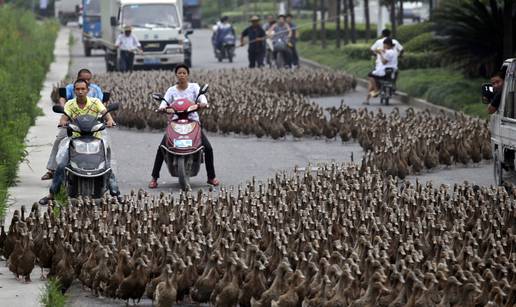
column 344, row 235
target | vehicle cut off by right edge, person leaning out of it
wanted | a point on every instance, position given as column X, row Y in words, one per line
column 503, row 127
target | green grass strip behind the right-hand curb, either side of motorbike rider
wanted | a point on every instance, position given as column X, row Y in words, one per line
column 442, row 86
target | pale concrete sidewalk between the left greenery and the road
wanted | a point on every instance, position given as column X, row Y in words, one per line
column 29, row 187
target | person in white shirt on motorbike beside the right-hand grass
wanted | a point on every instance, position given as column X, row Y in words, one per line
column 388, row 59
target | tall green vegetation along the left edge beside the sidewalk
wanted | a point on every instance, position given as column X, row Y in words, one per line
column 25, row 55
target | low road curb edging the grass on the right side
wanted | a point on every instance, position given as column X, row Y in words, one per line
column 403, row 97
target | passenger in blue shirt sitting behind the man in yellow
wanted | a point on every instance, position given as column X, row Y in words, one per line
column 94, row 92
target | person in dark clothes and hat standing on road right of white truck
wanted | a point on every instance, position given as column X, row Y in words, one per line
column 256, row 35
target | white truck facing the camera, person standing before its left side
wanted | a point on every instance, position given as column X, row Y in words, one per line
column 158, row 25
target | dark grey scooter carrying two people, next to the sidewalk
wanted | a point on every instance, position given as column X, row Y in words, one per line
column 89, row 169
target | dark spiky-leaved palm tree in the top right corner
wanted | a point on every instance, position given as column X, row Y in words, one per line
column 477, row 34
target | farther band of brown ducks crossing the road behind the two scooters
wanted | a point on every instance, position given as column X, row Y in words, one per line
column 261, row 102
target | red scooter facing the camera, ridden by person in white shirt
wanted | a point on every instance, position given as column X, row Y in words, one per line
column 183, row 150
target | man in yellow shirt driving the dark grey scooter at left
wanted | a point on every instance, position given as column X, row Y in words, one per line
column 81, row 105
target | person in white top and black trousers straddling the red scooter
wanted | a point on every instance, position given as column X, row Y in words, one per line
column 187, row 90
